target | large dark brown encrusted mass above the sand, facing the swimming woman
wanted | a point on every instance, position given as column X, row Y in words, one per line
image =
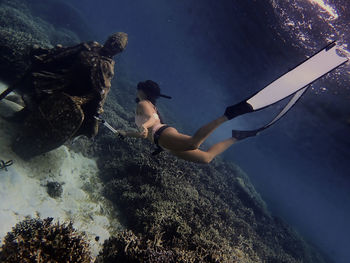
column 64, row 88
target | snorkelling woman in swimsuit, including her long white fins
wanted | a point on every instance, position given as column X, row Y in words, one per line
column 295, row 81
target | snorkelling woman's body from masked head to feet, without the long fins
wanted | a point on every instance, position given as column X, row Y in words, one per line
column 168, row 138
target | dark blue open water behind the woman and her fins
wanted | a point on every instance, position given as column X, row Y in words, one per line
column 210, row 54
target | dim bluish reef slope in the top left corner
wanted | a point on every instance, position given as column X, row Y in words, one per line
column 20, row 29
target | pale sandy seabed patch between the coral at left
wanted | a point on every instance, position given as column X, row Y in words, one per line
column 23, row 190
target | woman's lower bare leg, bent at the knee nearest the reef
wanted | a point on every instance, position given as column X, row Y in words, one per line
column 199, row 156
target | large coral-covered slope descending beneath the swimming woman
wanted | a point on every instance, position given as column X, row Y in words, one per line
column 211, row 213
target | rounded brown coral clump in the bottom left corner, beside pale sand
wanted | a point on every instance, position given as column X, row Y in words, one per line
column 37, row 240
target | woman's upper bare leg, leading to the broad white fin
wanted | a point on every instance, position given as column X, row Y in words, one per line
column 175, row 141
